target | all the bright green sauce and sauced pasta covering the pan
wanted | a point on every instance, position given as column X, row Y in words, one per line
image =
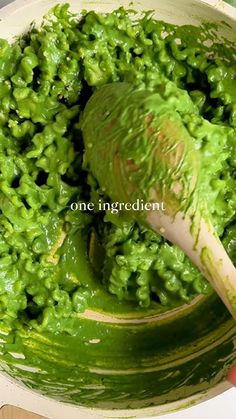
column 54, row 262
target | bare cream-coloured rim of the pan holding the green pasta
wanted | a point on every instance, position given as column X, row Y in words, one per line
column 15, row 19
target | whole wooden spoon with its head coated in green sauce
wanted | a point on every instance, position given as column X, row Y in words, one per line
column 137, row 148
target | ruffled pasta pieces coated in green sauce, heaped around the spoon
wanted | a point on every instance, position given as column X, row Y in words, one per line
column 46, row 79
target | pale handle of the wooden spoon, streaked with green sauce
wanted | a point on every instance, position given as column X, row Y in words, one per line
column 204, row 248
